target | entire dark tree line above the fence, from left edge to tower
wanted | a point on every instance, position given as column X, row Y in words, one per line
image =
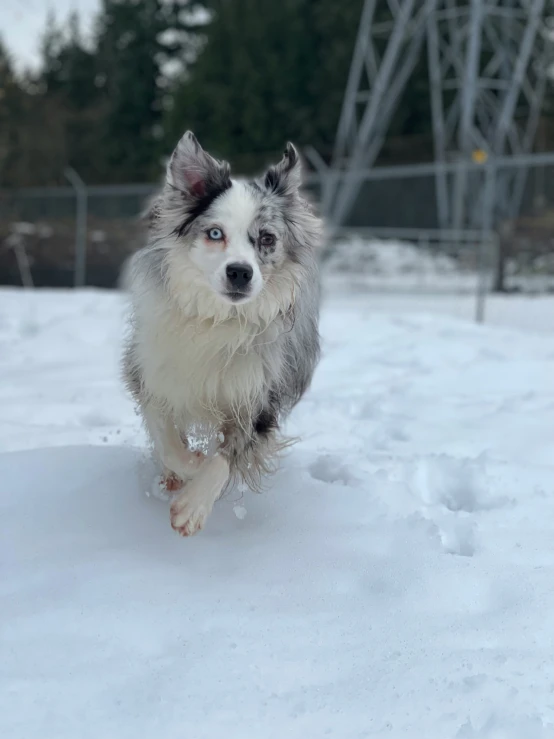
column 245, row 75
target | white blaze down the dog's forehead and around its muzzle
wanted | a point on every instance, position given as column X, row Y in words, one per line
column 233, row 212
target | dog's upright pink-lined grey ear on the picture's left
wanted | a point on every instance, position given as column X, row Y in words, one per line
column 194, row 172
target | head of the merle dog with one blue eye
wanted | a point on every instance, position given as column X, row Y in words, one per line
column 235, row 235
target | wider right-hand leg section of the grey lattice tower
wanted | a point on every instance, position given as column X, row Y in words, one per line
column 488, row 64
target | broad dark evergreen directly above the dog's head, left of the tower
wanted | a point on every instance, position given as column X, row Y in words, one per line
column 268, row 72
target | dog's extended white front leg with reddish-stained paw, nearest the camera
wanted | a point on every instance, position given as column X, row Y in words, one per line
column 191, row 508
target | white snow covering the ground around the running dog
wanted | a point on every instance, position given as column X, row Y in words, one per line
column 396, row 579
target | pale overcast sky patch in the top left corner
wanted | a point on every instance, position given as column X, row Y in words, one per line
column 22, row 22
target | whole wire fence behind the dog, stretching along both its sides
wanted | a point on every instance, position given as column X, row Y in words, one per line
column 393, row 238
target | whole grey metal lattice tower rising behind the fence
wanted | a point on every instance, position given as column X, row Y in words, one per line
column 488, row 62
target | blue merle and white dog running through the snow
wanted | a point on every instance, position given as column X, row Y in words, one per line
column 223, row 323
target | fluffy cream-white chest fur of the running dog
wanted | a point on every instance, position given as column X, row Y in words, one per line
column 204, row 370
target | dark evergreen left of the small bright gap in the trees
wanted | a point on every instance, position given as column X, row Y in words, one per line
column 135, row 40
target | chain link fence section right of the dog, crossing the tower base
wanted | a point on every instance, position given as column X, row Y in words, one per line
column 402, row 205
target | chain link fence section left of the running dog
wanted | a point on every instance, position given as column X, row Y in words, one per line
column 41, row 226
